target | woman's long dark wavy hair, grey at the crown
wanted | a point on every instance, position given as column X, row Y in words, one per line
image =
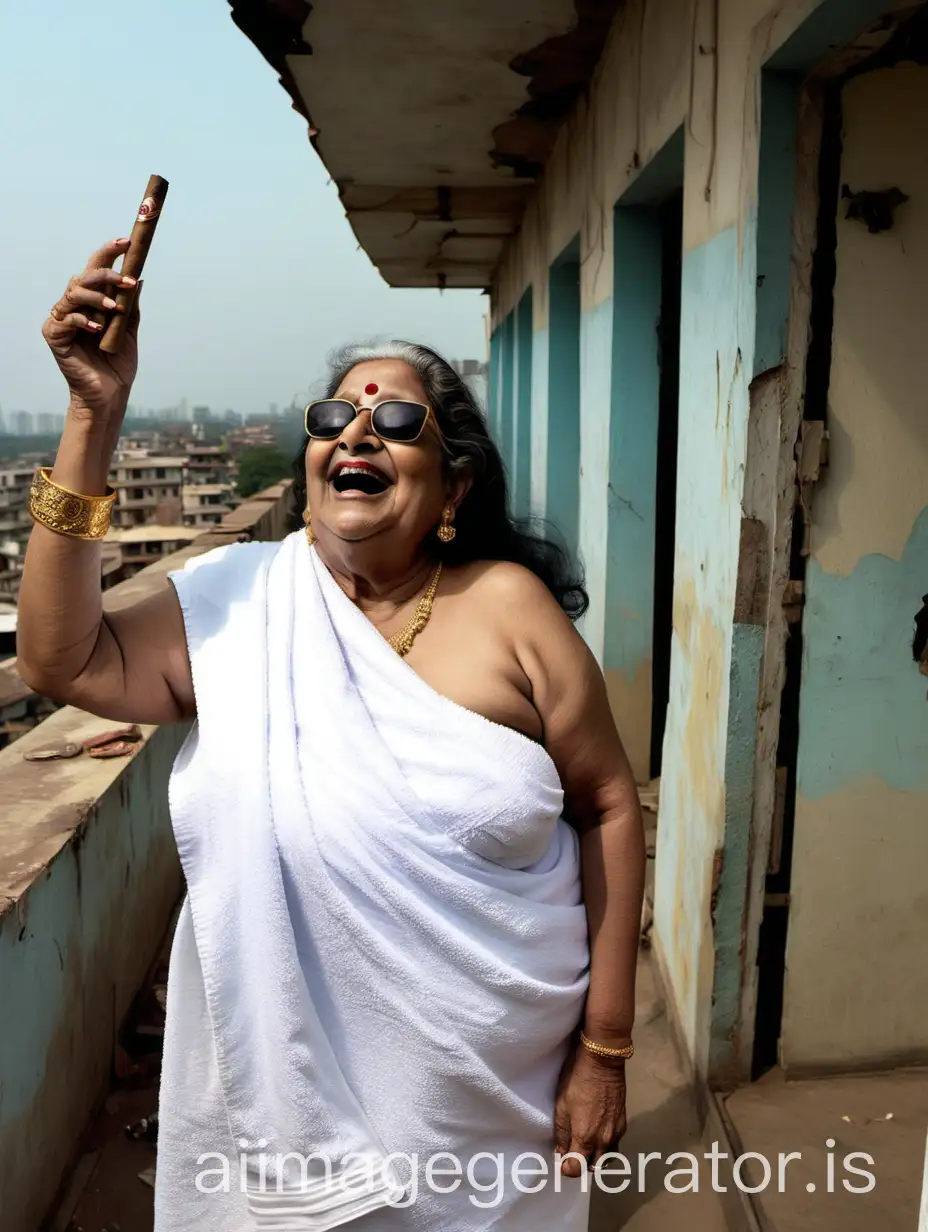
column 486, row 528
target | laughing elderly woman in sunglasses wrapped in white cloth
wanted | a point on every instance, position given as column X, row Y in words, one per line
column 402, row 985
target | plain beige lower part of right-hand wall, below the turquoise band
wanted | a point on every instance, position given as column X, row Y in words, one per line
column 857, row 981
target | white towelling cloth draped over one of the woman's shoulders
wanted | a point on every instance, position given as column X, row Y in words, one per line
column 384, row 948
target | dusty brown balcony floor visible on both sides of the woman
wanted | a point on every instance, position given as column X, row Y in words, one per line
column 771, row 1118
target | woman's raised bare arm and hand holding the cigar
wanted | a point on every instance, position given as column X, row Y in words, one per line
column 130, row 666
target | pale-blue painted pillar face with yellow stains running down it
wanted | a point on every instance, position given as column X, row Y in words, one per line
column 717, row 360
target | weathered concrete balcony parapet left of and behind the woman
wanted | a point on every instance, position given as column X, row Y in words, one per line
column 89, row 877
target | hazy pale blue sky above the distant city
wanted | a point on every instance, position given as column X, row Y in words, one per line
column 254, row 274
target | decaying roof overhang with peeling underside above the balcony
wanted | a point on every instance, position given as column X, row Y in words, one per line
column 433, row 119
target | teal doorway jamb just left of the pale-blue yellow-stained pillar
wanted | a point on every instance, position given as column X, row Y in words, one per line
column 633, row 440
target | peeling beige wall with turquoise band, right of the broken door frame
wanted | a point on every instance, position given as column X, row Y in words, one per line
column 857, row 985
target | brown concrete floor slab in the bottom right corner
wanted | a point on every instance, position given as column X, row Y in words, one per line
column 773, row 1117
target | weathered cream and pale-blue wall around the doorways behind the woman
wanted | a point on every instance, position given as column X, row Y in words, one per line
column 697, row 67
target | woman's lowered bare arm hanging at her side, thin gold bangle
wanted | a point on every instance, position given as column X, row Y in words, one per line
column 602, row 803
